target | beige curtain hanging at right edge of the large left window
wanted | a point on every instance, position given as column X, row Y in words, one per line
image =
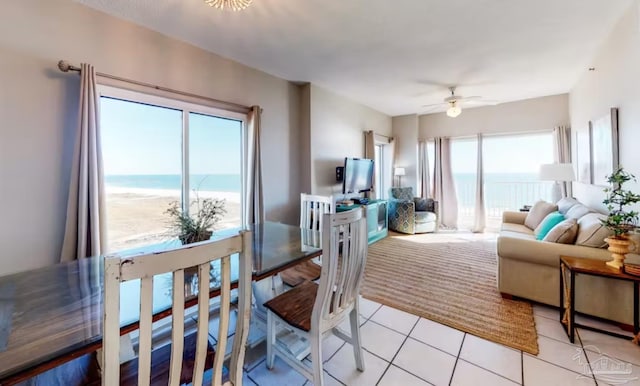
column 254, row 206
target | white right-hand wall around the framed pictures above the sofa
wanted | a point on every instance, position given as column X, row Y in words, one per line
column 614, row 83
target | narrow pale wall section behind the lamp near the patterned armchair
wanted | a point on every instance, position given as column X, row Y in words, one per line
column 405, row 133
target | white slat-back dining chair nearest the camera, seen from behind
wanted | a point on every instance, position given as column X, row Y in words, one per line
column 168, row 365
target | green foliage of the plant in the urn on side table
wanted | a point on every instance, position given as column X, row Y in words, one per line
column 619, row 220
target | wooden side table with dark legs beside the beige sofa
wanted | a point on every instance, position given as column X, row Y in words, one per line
column 577, row 265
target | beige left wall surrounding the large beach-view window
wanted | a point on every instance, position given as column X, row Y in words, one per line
column 38, row 110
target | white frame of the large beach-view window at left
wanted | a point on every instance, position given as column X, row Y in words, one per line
column 187, row 107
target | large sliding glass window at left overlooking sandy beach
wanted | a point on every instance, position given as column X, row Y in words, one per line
column 157, row 151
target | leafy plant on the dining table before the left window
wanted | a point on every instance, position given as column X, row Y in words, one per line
column 192, row 228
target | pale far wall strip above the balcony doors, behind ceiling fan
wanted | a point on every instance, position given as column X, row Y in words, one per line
column 530, row 115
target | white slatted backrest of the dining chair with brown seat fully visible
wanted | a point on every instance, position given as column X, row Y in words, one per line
column 344, row 250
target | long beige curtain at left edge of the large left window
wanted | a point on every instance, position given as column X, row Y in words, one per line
column 85, row 230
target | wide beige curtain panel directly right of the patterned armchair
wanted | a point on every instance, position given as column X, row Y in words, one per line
column 444, row 188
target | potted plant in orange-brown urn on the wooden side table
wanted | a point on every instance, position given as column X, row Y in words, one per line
column 620, row 220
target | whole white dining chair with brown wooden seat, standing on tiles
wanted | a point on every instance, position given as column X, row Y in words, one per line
column 311, row 310
